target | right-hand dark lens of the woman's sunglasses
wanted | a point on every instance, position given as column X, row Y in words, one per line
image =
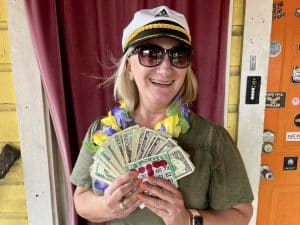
column 180, row 56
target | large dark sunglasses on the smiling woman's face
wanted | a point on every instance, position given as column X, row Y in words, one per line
column 152, row 55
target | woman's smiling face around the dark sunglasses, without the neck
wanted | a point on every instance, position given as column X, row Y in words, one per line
column 158, row 85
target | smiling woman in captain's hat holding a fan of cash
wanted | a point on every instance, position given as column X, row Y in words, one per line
column 201, row 177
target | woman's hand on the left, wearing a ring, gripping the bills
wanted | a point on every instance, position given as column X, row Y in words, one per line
column 121, row 196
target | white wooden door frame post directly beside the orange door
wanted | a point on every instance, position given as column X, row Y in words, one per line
column 256, row 41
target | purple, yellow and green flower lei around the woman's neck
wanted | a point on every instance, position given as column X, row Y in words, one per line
column 118, row 119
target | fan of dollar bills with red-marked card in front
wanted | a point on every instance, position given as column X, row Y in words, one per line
column 149, row 152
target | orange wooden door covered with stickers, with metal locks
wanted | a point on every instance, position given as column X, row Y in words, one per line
column 279, row 193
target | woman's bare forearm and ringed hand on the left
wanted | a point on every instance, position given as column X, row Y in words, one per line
column 107, row 207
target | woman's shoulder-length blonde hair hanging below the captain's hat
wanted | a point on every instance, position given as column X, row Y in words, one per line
column 126, row 89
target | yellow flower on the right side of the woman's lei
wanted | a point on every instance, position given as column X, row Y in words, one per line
column 171, row 125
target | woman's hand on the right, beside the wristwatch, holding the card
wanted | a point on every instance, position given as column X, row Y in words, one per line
column 167, row 201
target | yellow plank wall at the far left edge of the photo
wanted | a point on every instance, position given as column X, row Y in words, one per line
column 12, row 197
